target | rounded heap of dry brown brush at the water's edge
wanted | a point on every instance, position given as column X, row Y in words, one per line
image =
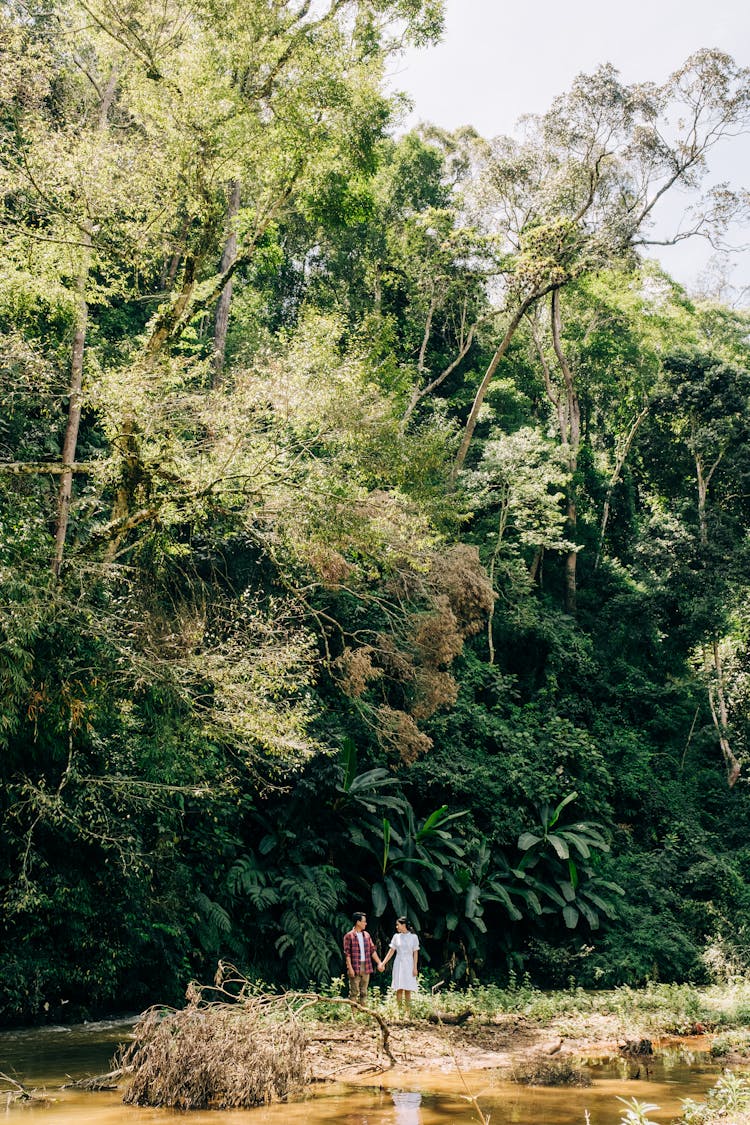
column 215, row 1056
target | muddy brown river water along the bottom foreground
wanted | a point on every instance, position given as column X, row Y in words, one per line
column 46, row 1058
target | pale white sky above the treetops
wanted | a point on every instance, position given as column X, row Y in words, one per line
column 500, row 60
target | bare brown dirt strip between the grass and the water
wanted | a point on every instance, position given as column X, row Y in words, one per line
column 354, row 1049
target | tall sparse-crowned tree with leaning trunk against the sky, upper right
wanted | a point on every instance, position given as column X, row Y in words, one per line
column 580, row 193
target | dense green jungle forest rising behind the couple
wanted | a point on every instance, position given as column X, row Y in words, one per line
column 374, row 515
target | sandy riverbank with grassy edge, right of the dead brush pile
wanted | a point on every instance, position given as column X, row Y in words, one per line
column 521, row 1031
